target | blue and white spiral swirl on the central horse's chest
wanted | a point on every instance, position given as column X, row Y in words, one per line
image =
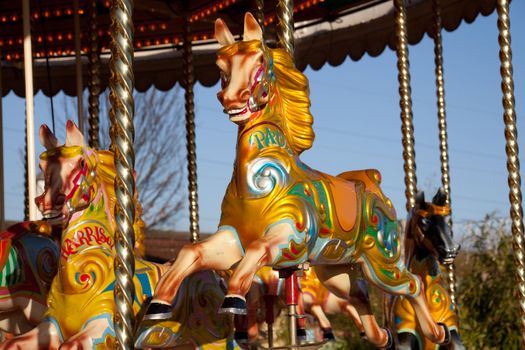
column 264, row 174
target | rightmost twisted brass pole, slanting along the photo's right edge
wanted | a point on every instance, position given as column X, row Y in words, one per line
column 512, row 150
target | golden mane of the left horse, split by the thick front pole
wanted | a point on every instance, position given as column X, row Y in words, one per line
column 107, row 172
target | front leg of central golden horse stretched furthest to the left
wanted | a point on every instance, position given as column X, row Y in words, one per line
column 219, row 252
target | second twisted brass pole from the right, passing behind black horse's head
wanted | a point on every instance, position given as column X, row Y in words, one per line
column 442, row 126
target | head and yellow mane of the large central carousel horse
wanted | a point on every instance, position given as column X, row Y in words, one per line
column 260, row 83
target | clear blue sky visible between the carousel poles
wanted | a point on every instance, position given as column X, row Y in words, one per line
column 357, row 124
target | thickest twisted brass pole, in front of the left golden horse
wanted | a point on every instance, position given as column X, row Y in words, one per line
column 122, row 107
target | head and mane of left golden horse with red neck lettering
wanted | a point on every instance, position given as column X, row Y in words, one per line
column 75, row 175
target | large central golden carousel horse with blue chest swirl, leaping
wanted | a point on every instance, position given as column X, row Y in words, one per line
column 279, row 212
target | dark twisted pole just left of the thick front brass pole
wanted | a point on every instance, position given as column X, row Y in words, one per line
column 94, row 79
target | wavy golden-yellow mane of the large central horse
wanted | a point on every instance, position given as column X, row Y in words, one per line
column 294, row 92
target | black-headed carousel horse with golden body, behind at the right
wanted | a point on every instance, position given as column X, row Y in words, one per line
column 429, row 245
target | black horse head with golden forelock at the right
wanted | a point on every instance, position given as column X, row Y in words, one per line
column 430, row 227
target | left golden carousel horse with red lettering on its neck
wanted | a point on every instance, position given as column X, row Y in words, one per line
column 80, row 197
